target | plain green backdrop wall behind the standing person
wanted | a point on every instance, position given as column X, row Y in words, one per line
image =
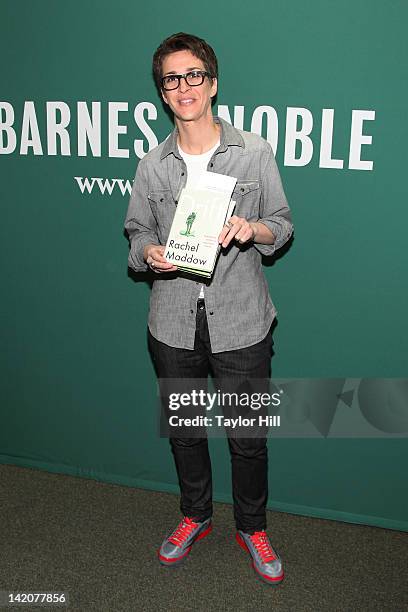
column 78, row 387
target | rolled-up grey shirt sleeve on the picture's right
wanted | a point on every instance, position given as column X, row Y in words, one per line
column 273, row 208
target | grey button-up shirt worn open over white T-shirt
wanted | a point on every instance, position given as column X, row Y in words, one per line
column 239, row 308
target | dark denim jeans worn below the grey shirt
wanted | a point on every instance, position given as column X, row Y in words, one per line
column 249, row 456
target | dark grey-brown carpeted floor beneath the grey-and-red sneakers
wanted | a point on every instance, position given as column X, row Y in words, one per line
column 98, row 543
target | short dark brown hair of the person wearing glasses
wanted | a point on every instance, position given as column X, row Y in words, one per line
column 180, row 42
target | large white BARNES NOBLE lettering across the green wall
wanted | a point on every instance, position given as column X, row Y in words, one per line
column 300, row 141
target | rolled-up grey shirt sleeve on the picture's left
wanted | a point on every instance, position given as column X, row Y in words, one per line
column 140, row 223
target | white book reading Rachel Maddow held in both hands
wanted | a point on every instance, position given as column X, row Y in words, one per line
column 201, row 213
